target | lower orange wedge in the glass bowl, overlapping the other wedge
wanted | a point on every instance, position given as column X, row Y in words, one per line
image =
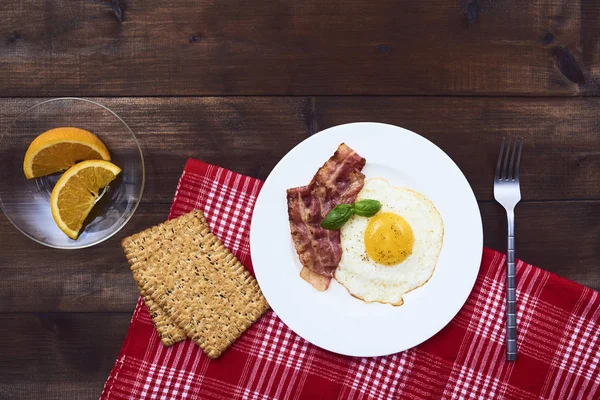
column 77, row 191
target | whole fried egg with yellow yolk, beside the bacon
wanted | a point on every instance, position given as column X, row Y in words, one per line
column 388, row 255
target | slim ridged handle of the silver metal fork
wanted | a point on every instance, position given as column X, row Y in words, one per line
column 511, row 296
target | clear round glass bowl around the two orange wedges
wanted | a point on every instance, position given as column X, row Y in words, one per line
column 26, row 203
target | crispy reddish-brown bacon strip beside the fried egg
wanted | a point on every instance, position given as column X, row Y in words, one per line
column 338, row 181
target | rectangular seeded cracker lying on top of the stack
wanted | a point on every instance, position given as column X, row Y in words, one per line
column 185, row 270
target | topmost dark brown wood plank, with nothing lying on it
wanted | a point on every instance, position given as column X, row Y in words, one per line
column 188, row 47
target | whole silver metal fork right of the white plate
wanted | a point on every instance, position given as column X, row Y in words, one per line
column 508, row 193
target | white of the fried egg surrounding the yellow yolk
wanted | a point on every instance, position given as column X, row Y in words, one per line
column 373, row 282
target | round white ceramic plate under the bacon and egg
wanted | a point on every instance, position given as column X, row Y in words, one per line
column 333, row 319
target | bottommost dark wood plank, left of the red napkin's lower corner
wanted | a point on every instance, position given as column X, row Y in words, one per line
column 58, row 356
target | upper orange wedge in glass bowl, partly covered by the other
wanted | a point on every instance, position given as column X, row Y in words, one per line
column 59, row 149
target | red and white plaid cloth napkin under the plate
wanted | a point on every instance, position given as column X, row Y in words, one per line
column 559, row 332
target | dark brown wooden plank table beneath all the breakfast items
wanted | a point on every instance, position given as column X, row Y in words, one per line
column 239, row 83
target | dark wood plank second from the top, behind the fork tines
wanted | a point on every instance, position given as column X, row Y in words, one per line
column 561, row 159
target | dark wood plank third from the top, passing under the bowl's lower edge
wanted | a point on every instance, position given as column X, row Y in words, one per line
column 561, row 237
